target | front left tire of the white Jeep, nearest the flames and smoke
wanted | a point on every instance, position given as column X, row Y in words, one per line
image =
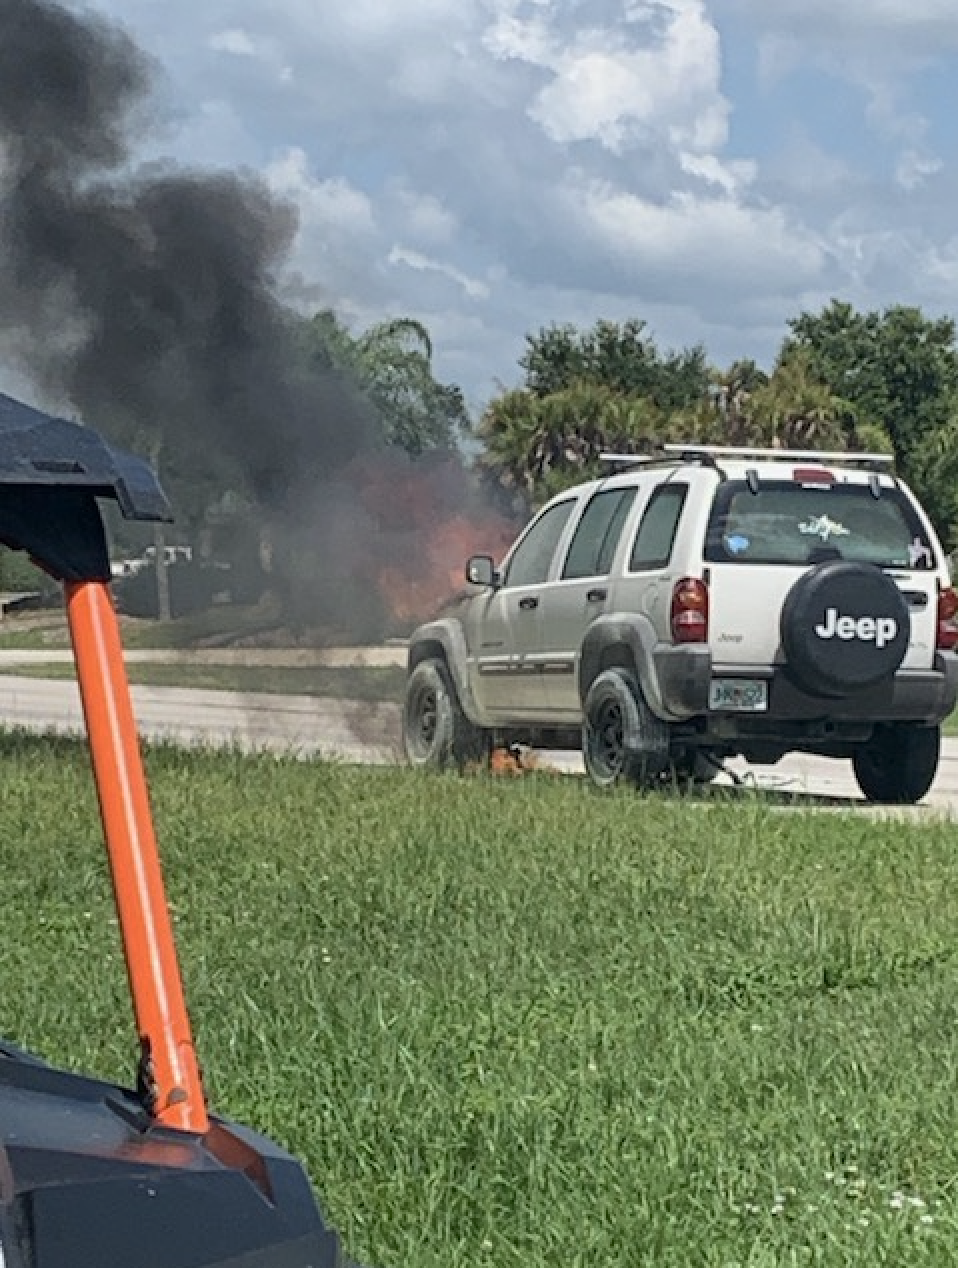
column 437, row 734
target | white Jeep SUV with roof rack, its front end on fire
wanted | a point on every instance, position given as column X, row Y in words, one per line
column 699, row 605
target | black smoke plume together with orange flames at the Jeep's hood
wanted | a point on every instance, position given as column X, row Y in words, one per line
column 148, row 297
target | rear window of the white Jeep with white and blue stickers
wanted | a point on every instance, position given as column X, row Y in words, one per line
column 784, row 523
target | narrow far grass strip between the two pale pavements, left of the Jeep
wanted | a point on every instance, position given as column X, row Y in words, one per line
column 348, row 683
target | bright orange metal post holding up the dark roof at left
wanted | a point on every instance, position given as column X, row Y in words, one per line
column 170, row 1071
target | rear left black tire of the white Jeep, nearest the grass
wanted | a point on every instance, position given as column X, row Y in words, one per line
column 623, row 741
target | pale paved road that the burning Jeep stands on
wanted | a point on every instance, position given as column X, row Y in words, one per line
column 369, row 734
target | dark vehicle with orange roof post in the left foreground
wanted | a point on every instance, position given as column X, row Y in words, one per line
column 92, row 1175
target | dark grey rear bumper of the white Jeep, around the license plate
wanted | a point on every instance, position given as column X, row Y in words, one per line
column 923, row 697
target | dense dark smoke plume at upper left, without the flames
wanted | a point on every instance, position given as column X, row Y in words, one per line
column 148, row 299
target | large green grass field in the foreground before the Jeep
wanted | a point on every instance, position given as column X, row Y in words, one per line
column 521, row 1024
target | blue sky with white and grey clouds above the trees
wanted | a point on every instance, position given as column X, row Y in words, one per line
column 494, row 167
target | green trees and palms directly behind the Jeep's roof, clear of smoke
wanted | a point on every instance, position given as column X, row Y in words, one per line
column 843, row 380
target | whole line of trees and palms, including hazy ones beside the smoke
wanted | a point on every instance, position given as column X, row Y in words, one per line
column 842, row 380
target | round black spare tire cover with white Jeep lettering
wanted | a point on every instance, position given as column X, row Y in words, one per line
column 845, row 627
